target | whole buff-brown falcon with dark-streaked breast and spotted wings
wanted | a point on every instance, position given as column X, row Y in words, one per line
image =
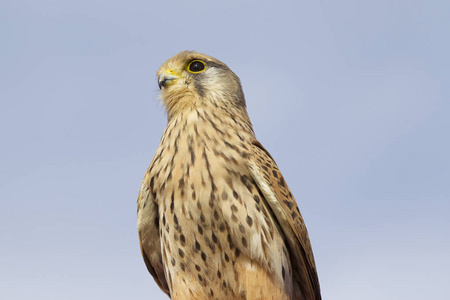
column 216, row 218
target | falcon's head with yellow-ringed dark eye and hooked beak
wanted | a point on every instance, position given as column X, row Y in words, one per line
column 191, row 79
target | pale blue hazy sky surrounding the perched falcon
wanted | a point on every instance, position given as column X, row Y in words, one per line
column 352, row 98
